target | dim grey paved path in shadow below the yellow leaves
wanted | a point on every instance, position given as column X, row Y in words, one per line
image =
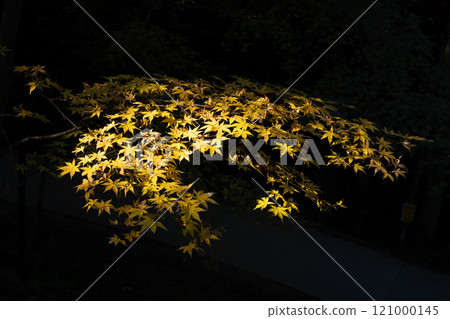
column 282, row 251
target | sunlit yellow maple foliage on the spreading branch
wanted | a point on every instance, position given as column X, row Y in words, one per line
column 134, row 185
